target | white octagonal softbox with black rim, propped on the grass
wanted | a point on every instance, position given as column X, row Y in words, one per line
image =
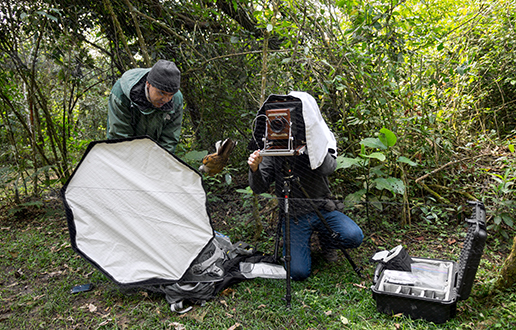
column 136, row 212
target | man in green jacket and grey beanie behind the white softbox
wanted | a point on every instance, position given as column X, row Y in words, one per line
column 147, row 102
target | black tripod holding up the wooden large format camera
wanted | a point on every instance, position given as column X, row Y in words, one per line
column 288, row 178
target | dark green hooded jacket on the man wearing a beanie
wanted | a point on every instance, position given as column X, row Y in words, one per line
column 130, row 114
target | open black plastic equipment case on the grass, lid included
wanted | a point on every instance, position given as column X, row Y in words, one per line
column 432, row 288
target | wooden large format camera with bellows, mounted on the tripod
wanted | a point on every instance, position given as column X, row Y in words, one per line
column 279, row 127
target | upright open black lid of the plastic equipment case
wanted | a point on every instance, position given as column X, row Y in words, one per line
column 472, row 250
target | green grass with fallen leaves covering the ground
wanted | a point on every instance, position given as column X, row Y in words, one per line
column 38, row 268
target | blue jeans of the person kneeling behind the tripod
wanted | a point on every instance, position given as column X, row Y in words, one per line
column 301, row 229
